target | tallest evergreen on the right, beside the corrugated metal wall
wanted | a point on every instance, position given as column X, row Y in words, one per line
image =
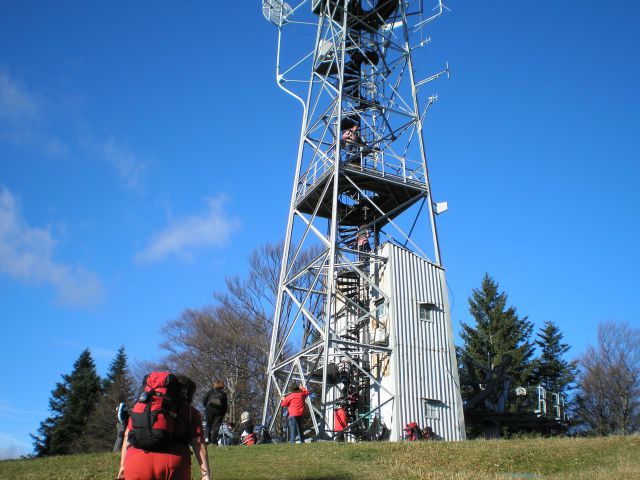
column 498, row 331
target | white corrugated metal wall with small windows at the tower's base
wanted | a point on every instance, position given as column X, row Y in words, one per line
column 423, row 359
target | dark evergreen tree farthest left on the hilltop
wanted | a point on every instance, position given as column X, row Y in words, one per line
column 71, row 405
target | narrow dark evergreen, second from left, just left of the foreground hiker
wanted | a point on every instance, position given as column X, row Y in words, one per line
column 100, row 433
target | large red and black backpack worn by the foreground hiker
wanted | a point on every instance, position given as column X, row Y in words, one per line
column 155, row 414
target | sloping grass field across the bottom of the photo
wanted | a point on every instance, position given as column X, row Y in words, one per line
column 587, row 458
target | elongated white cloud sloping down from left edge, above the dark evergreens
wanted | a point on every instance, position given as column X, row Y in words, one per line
column 26, row 254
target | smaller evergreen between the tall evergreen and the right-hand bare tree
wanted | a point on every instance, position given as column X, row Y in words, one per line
column 551, row 370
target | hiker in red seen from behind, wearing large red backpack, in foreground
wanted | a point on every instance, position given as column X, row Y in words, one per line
column 161, row 427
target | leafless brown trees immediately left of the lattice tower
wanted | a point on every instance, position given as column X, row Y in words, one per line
column 230, row 341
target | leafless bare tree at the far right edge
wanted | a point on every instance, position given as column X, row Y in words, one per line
column 609, row 381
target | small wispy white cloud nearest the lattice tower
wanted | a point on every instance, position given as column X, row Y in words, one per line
column 184, row 235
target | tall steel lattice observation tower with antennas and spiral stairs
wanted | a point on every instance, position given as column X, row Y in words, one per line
column 362, row 316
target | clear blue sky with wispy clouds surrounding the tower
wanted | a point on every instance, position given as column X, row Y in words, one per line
column 145, row 150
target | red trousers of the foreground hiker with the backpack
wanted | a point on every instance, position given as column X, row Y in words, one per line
column 140, row 465
